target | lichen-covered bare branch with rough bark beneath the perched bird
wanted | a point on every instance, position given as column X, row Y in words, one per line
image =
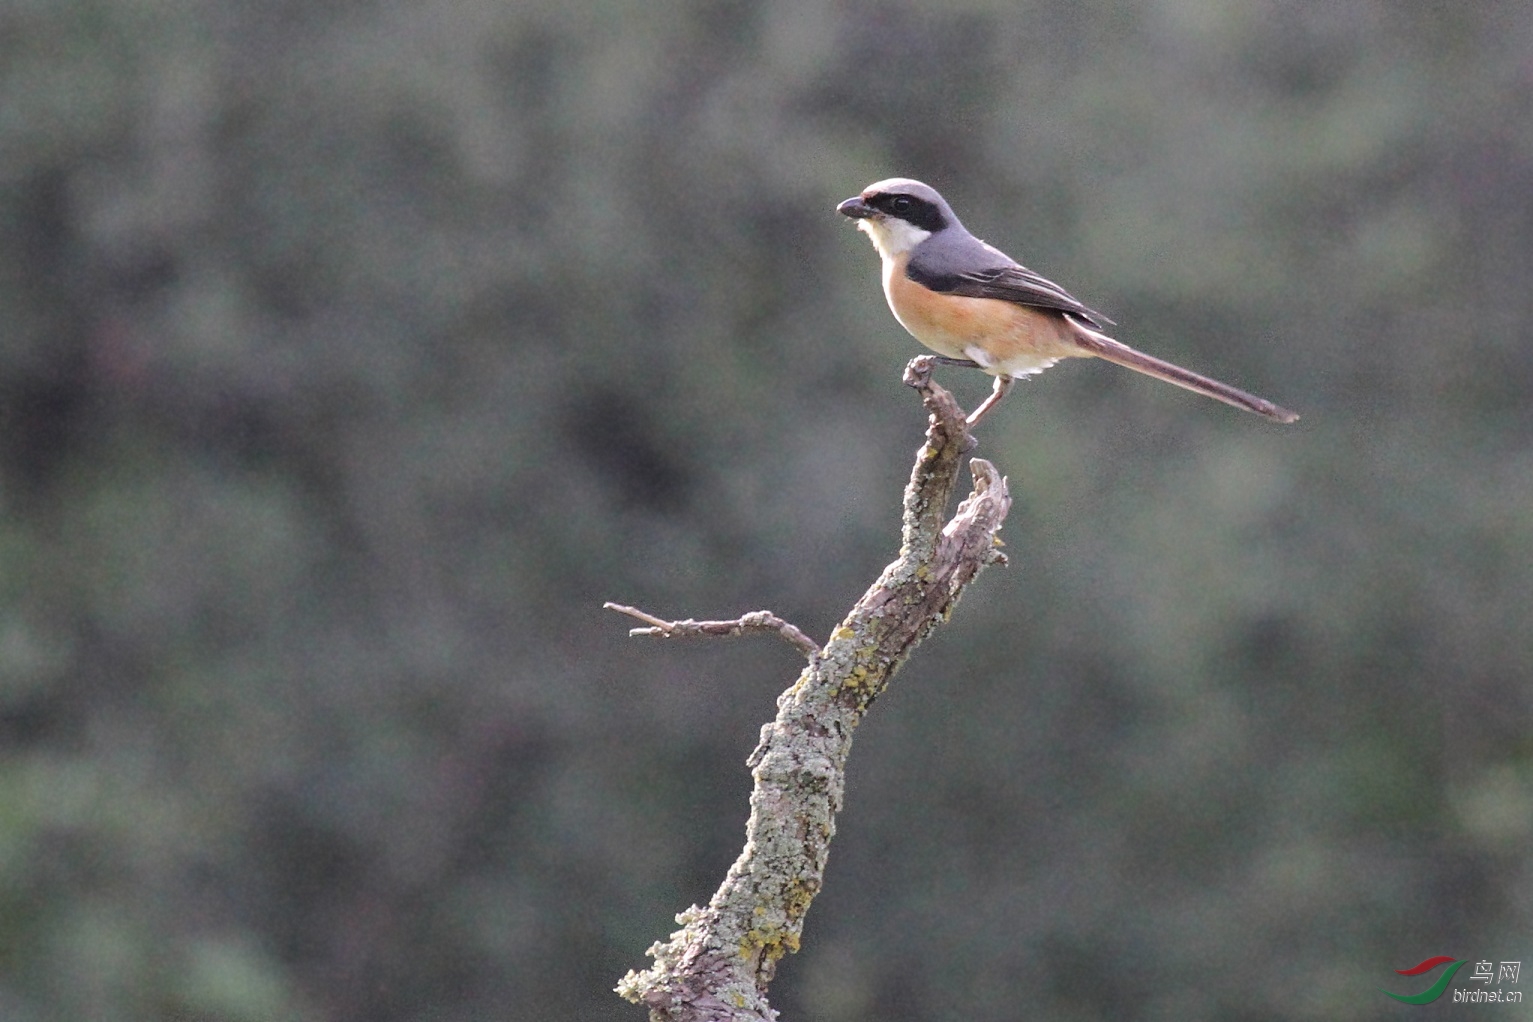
column 721, row 960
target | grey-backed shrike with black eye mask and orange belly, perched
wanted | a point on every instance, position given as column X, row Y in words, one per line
column 974, row 306
